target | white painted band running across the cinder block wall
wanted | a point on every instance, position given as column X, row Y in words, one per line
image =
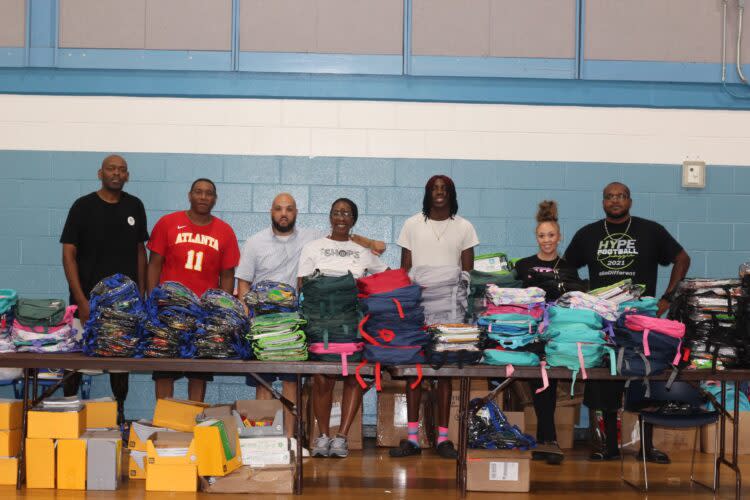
column 373, row 129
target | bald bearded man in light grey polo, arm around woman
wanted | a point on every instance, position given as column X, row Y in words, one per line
column 273, row 254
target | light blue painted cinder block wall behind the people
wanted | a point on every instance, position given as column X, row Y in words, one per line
column 499, row 197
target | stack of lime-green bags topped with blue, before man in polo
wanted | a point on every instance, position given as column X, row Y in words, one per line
column 276, row 326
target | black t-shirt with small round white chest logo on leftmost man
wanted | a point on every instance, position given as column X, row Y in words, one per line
column 106, row 236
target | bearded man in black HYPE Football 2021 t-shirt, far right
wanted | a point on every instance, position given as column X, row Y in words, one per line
column 617, row 247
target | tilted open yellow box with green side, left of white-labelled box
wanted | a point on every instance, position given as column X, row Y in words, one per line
column 217, row 445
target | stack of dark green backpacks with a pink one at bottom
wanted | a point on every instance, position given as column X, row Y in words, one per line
column 330, row 307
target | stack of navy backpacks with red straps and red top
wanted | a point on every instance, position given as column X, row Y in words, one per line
column 393, row 323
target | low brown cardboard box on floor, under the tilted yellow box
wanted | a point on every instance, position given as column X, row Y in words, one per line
column 272, row 479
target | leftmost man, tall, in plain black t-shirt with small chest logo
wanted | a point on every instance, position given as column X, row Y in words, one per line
column 104, row 235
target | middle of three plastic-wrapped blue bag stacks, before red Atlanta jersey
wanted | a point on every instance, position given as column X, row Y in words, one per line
column 173, row 315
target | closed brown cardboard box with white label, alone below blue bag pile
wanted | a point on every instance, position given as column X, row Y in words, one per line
column 498, row 470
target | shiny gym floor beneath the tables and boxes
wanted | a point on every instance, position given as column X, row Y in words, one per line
column 372, row 474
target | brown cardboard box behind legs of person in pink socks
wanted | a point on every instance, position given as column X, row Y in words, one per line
column 392, row 424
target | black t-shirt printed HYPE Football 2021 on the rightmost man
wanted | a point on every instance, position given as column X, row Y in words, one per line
column 615, row 252
